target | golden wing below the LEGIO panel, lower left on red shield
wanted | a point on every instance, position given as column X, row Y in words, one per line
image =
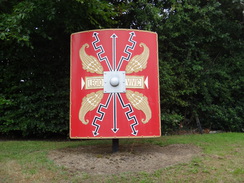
column 89, row 103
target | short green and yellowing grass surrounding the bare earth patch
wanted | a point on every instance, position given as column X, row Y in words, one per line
column 222, row 160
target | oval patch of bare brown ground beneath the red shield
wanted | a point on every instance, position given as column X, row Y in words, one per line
column 99, row 160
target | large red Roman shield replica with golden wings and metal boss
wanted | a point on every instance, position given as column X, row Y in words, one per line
column 114, row 84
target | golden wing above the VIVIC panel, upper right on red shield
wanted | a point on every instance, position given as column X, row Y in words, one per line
column 138, row 62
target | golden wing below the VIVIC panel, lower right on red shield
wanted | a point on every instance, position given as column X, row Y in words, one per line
column 140, row 102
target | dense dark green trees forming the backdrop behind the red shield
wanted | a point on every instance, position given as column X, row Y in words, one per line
column 200, row 52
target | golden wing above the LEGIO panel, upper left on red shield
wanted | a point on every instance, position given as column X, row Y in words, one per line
column 89, row 62
